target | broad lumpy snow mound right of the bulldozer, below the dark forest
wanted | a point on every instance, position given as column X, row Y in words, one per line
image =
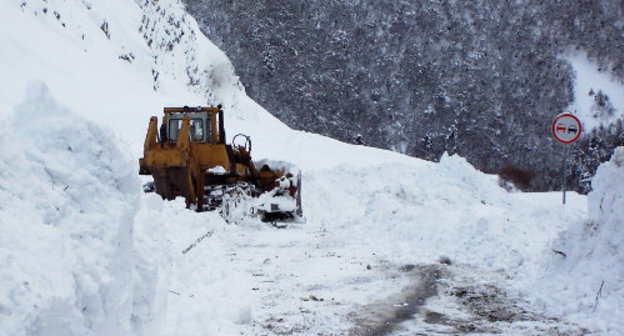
column 421, row 211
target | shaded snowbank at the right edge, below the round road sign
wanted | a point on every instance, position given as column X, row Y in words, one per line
column 588, row 283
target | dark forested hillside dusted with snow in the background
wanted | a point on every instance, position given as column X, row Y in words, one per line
column 480, row 78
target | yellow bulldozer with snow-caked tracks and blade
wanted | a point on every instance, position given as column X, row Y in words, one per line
column 188, row 156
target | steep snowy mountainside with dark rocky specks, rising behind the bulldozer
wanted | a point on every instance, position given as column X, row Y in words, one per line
column 103, row 60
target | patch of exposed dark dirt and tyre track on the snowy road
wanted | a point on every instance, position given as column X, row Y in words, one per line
column 452, row 300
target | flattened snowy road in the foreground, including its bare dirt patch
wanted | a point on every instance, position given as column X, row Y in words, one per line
column 292, row 281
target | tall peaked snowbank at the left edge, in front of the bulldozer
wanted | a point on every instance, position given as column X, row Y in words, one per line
column 68, row 196
